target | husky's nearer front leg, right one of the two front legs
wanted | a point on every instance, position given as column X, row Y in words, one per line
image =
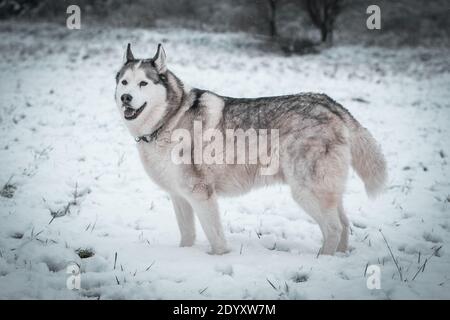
column 207, row 211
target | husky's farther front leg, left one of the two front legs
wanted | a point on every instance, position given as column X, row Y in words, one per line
column 185, row 219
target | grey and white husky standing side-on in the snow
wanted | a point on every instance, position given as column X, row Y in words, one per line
column 318, row 141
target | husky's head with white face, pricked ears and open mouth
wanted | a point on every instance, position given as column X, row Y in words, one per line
column 141, row 89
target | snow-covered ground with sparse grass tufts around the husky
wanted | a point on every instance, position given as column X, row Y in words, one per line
column 64, row 151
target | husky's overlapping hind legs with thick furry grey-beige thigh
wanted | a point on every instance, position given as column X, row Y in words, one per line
column 316, row 170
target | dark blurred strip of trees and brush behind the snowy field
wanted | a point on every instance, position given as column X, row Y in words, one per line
column 291, row 25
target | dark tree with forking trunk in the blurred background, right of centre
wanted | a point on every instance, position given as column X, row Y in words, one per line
column 323, row 14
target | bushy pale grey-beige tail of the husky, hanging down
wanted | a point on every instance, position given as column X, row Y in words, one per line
column 368, row 161
